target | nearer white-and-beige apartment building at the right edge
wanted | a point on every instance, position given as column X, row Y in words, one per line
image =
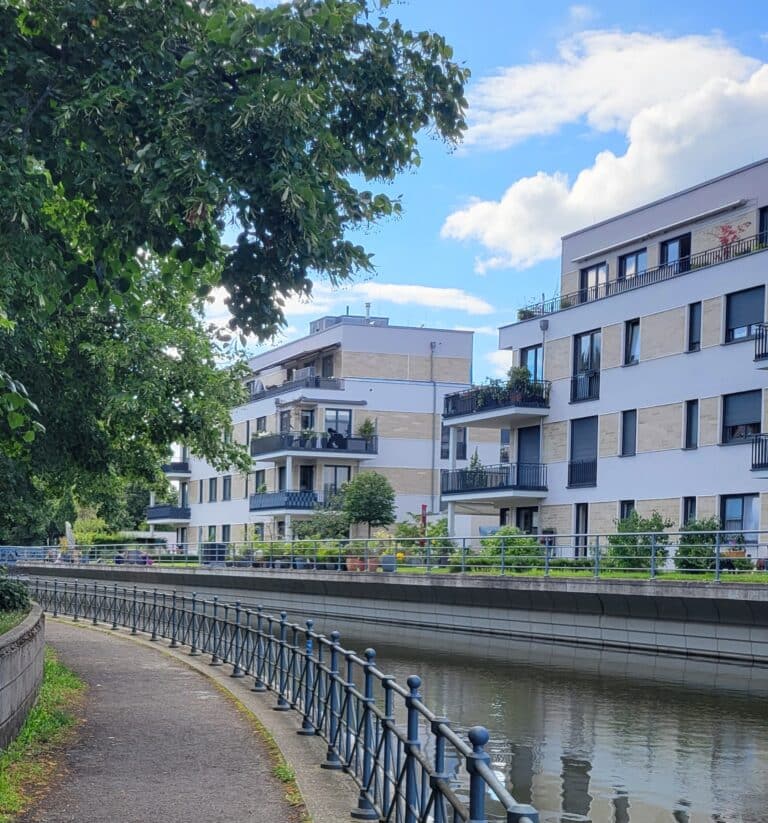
column 648, row 383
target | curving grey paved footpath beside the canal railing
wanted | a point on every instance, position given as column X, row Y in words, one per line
column 159, row 743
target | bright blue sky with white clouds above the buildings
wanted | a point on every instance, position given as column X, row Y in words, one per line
column 577, row 112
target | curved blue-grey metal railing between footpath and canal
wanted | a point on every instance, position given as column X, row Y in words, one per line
column 422, row 772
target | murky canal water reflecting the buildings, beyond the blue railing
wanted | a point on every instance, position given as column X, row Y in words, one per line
column 607, row 737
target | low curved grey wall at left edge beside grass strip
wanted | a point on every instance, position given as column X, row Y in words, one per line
column 21, row 672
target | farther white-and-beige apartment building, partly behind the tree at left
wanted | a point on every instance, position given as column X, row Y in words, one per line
column 355, row 394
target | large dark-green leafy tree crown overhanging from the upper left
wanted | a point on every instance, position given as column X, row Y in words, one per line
column 136, row 133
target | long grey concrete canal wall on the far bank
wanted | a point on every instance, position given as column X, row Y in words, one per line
column 721, row 622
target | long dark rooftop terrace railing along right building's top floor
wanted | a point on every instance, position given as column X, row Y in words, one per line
column 667, row 271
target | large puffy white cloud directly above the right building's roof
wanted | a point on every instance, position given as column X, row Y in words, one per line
column 717, row 126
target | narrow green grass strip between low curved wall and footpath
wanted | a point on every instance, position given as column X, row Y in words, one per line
column 28, row 765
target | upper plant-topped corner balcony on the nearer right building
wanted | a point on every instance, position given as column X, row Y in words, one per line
column 490, row 403
